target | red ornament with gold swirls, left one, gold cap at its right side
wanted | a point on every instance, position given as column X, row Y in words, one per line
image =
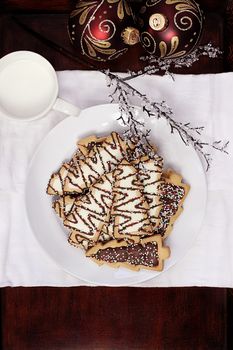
column 101, row 30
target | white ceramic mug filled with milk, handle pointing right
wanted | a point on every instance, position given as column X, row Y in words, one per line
column 29, row 87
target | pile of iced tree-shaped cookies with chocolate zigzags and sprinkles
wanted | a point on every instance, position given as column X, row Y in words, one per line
column 118, row 208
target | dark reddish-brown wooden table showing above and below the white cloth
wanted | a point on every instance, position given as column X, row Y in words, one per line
column 108, row 318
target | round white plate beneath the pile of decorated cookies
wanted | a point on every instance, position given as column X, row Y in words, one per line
column 59, row 145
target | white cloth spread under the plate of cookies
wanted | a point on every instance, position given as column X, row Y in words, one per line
column 203, row 100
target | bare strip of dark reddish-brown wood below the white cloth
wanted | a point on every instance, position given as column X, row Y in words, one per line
column 114, row 318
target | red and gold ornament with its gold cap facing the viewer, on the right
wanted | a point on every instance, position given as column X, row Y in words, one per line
column 170, row 28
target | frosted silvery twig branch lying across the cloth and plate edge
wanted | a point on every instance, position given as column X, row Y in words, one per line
column 136, row 130
